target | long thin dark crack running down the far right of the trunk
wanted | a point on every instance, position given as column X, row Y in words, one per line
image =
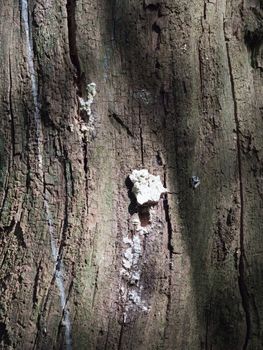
column 241, row 267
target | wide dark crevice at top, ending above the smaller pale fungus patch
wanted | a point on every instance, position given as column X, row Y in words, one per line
column 73, row 51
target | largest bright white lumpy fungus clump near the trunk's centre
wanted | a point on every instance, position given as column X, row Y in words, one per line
column 146, row 187
